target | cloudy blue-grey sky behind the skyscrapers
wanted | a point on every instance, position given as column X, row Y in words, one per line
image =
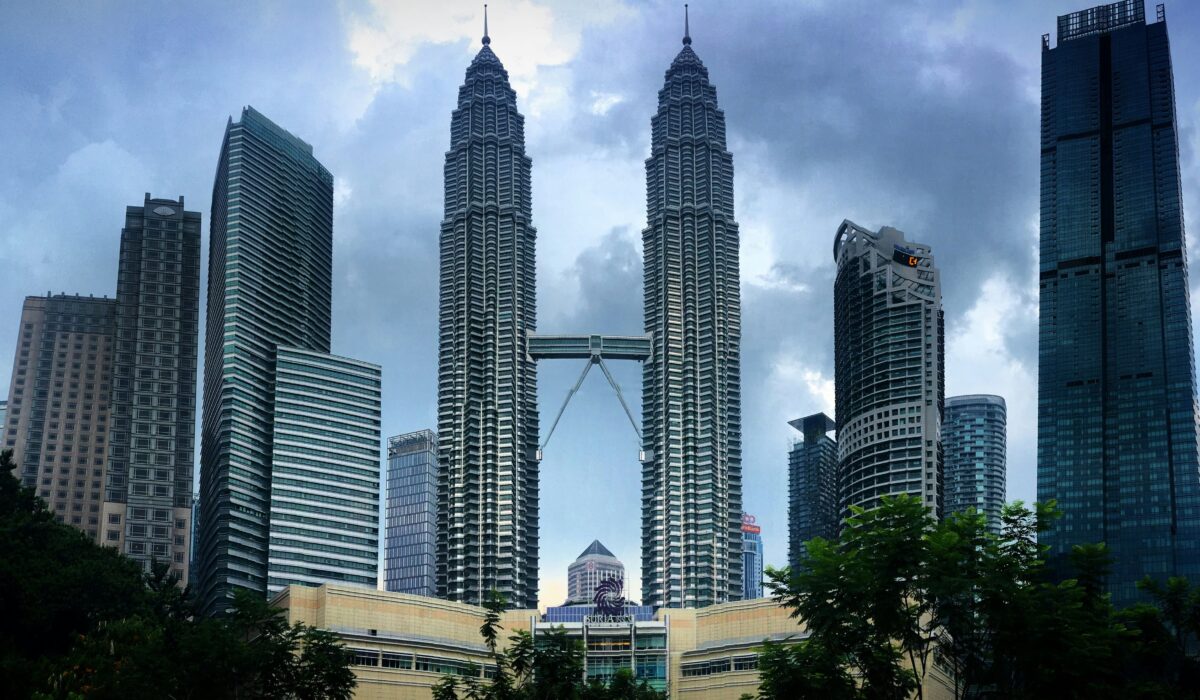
column 921, row 115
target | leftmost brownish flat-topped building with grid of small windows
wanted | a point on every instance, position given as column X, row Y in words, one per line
column 59, row 411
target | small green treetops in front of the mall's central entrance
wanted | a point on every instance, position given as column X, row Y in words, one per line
column 550, row 668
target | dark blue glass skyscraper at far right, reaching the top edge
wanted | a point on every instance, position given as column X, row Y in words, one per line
column 1117, row 382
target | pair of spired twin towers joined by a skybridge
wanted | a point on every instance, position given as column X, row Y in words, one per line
column 488, row 380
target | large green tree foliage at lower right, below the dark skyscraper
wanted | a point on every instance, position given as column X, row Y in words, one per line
column 899, row 593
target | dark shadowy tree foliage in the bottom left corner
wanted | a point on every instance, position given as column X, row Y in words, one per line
column 82, row 621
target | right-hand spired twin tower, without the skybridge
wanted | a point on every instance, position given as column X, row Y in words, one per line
column 692, row 385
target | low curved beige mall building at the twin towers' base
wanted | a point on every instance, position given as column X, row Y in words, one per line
column 404, row 644
